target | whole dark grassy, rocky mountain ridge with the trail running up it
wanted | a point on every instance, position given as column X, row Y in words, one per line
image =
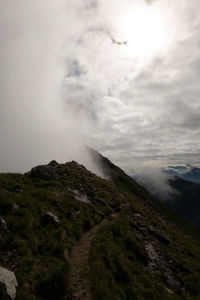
column 68, row 234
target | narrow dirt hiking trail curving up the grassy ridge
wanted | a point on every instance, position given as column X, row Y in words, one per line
column 79, row 261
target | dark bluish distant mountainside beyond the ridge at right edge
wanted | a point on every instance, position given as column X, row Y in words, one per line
column 187, row 200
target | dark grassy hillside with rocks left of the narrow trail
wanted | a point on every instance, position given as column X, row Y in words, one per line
column 37, row 252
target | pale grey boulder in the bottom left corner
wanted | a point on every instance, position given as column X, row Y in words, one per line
column 8, row 284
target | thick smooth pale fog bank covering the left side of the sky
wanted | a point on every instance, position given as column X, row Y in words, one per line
column 36, row 125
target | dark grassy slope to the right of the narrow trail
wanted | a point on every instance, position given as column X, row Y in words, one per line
column 119, row 262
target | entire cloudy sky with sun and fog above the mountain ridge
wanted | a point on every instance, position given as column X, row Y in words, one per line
column 120, row 76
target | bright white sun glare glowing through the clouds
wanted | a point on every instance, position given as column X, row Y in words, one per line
column 144, row 31
